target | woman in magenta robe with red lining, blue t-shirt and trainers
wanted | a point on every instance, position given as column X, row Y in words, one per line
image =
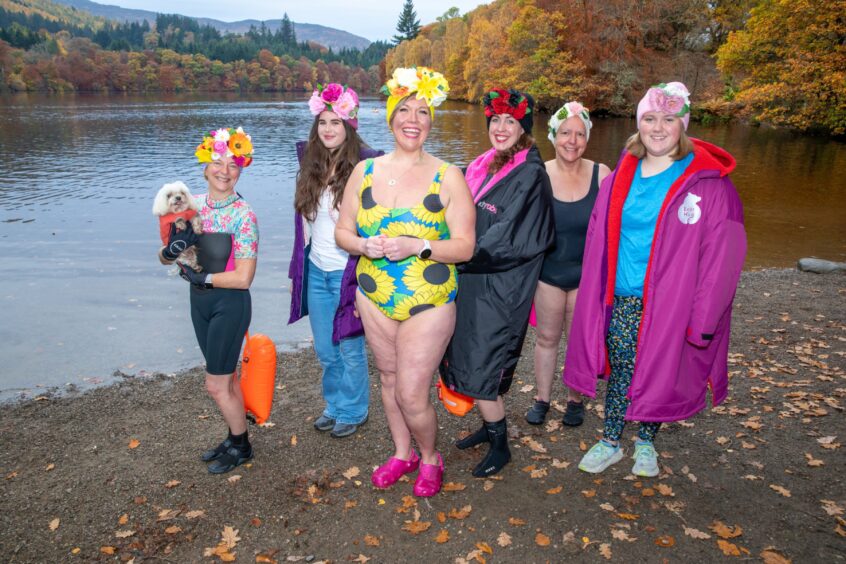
column 663, row 256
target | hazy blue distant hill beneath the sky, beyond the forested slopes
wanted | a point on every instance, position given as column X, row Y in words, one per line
column 336, row 39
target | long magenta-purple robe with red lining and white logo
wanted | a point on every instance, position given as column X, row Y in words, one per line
column 694, row 266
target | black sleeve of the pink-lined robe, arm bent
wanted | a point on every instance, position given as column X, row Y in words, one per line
column 524, row 230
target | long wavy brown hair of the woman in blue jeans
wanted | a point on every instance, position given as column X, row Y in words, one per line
column 318, row 164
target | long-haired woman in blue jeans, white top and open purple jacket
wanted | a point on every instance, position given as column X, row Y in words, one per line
column 322, row 274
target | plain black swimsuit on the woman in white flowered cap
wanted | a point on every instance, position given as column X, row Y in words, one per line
column 562, row 265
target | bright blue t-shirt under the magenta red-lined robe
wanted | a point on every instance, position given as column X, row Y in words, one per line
column 640, row 214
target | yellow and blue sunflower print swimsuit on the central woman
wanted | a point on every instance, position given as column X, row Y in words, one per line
column 406, row 287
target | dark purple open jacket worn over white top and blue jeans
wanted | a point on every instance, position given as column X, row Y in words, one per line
column 345, row 324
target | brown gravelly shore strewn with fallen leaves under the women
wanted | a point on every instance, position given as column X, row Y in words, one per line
column 760, row 477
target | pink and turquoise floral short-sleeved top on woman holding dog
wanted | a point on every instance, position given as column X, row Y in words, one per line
column 234, row 216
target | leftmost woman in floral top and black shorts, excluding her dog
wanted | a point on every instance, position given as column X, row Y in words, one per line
column 220, row 299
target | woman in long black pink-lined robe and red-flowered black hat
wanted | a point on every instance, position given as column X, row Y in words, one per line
column 514, row 227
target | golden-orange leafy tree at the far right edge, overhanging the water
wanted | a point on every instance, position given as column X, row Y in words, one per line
column 790, row 60
